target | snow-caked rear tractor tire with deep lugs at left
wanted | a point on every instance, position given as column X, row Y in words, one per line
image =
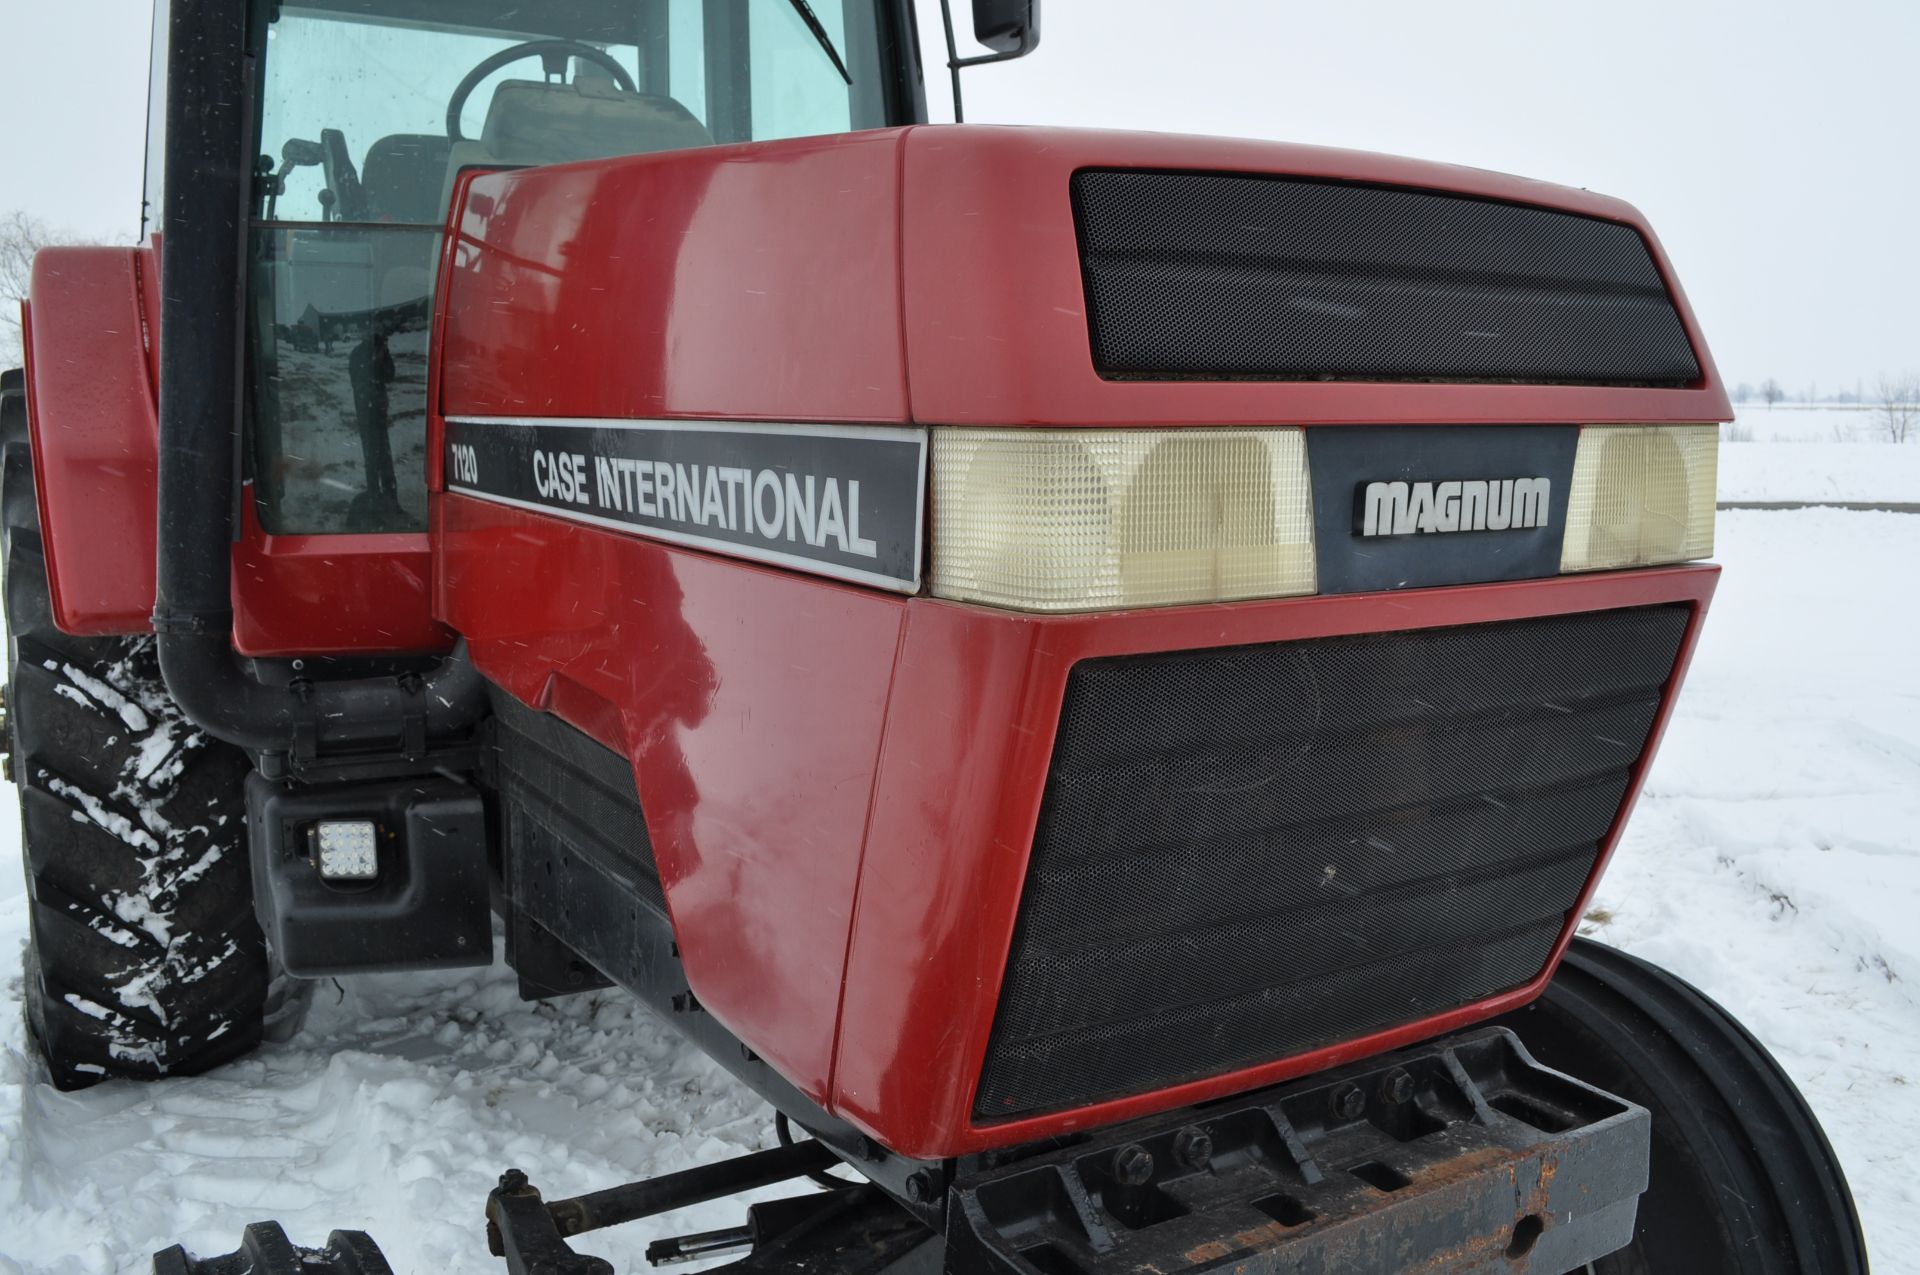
column 145, row 955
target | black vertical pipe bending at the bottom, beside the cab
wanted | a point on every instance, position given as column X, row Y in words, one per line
column 204, row 224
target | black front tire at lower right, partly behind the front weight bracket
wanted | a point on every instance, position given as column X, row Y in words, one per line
column 1742, row 1178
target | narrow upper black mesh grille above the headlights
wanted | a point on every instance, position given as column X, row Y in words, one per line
column 1224, row 276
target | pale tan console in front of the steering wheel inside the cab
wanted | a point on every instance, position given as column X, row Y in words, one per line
column 533, row 122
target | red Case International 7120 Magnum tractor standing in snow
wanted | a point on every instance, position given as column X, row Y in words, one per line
column 1095, row 671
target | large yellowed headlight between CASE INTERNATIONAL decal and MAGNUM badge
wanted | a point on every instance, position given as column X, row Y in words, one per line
column 1111, row 519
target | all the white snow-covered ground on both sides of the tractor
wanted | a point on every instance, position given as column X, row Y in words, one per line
column 1775, row 861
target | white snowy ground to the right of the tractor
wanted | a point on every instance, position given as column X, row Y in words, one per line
column 1775, row 857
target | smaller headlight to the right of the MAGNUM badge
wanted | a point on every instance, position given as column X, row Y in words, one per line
column 1643, row 494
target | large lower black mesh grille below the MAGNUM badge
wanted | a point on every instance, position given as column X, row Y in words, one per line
column 1257, row 852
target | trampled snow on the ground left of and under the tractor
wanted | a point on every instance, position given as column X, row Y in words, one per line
column 393, row 1111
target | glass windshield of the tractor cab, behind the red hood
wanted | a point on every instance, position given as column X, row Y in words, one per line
column 372, row 108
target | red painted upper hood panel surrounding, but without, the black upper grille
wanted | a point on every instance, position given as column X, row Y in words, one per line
column 900, row 276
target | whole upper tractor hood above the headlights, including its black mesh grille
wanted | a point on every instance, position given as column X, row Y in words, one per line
column 982, row 276
